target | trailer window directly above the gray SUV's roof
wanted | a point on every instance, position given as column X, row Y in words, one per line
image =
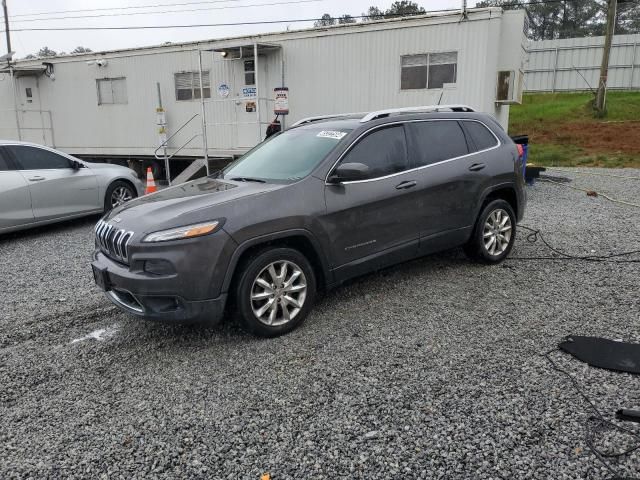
column 429, row 70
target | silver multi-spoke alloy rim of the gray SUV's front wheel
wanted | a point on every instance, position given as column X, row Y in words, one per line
column 278, row 293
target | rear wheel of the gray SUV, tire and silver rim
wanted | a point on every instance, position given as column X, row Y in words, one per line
column 493, row 234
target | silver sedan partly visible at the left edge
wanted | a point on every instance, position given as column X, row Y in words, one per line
column 39, row 185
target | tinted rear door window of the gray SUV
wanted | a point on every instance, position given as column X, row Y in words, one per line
column 437, row 140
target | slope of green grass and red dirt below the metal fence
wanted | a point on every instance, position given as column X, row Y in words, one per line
column 564, row 132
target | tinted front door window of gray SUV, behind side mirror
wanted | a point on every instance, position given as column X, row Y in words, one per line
column 384, row 151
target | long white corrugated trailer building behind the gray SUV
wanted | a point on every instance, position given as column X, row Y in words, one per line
column 217, row 96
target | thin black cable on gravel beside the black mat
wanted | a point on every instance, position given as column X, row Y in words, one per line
column 601, row 421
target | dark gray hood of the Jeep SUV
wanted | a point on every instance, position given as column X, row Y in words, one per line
column 191, row 202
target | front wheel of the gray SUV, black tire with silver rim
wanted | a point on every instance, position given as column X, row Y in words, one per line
column 261, row 298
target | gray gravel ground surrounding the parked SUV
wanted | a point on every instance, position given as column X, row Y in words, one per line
column 431, row 369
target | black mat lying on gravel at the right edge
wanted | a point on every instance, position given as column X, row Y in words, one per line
column 603, row 353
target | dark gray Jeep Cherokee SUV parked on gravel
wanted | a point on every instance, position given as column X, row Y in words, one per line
column 327, row 200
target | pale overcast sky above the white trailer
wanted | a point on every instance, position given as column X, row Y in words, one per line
column 21, row 16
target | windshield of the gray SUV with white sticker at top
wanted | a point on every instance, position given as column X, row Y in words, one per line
column 287, row 157
